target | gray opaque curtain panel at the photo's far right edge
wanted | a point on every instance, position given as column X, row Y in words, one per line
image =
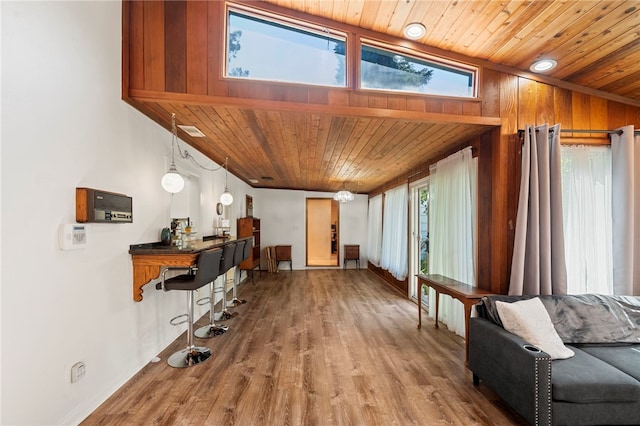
column 625, row 153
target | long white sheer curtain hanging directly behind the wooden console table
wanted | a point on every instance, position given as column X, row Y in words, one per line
column 452, row 223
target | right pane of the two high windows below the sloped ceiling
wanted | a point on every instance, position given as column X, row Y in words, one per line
column 386, row 70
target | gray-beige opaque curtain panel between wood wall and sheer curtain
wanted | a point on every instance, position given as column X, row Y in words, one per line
column 538, row 265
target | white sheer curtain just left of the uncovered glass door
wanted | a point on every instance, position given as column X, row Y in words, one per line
column 394, row 256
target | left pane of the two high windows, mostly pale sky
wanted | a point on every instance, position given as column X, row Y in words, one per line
column 259, row 49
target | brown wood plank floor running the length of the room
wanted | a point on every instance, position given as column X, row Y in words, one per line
column 316, row 347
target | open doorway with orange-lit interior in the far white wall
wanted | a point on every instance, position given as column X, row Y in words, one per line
column 323, row 230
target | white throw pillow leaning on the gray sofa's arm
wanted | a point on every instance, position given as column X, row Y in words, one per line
column 530, row 320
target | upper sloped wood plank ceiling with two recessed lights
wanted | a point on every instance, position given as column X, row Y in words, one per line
column 596, row 43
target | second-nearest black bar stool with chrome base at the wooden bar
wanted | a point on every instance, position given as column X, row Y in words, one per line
column 212, row 329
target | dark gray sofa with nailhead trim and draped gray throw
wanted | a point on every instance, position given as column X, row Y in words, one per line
column 600, row 385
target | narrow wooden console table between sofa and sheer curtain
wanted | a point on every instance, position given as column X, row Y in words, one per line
column 465, row 293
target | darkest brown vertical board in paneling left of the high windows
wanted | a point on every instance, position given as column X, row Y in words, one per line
column 175, row 41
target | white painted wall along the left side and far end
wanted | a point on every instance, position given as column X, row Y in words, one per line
column 64, row 125
